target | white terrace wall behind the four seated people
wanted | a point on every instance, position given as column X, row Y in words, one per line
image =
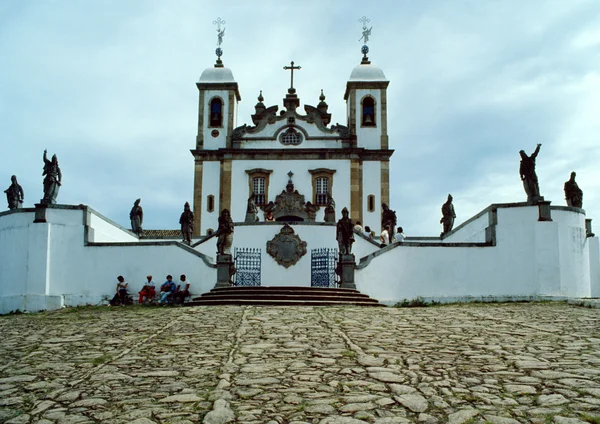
column 49, row 265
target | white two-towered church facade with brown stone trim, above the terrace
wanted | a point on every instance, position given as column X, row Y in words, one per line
column 293, row 149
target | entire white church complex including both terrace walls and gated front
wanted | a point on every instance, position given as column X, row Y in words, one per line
column 294, row 161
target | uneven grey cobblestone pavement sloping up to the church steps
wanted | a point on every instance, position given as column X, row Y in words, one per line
column 503, row 363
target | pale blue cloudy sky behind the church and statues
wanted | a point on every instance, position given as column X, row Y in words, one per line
column 109, row 86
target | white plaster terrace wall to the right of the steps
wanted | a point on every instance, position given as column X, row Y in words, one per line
column 530, row 258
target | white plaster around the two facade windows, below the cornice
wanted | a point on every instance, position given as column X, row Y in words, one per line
column 278, row 180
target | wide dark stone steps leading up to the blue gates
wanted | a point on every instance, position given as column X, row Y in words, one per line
column 281, row 296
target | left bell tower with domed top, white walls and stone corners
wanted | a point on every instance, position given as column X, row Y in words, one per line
column 217, row 108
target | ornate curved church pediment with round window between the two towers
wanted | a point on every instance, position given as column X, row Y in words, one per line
column 289, row 128
